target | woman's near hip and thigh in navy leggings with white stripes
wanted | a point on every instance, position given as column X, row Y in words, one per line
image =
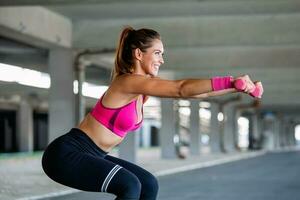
column 70, row 162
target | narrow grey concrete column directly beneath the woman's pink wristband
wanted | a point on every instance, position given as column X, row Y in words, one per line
column 214, row 136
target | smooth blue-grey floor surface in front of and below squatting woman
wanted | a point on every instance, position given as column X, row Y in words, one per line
column 274, row 176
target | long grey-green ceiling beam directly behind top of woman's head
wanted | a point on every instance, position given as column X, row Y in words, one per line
column 243, row 30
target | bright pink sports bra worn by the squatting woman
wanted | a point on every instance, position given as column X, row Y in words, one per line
column 118, row 120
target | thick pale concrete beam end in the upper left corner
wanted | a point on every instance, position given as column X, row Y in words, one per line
column 36, row 26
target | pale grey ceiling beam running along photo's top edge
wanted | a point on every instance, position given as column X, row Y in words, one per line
column 153, row 9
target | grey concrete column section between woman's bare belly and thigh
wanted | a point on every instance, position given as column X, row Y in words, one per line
column 128, row 148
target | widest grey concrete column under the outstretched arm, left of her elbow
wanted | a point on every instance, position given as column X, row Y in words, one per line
column 167, row 130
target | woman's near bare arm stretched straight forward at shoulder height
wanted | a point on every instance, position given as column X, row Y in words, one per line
column 185, row 88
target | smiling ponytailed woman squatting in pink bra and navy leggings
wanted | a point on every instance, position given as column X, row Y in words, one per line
column 79, row 158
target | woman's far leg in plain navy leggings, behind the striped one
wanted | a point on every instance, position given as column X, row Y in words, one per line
column 148, row 181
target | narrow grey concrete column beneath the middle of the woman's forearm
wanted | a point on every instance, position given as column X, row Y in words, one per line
column 194, row 128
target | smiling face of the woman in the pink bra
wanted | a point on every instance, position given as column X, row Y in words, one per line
column 152, row 58
